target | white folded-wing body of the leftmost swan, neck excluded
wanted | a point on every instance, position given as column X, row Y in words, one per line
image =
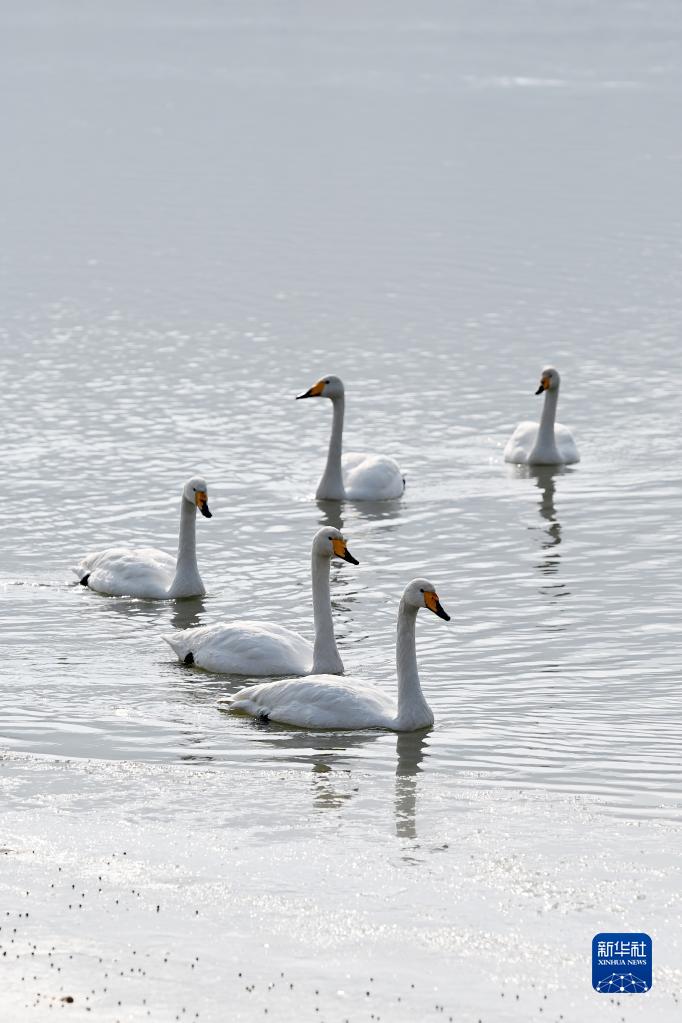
column 144, row 572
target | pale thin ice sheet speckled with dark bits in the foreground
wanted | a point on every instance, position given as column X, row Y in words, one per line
column 152, row 893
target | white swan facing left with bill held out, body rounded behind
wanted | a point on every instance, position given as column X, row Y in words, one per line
column 358, row 477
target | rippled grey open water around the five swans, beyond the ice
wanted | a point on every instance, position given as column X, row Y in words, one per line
column 205, row 212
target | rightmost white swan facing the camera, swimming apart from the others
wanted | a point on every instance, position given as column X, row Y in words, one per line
column 547, row 443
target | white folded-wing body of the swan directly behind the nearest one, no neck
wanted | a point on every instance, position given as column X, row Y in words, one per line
column 245, row 649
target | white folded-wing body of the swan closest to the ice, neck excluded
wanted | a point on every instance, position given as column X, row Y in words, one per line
column 317, row 702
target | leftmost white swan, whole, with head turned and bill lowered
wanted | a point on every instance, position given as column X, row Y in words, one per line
column 150, row 573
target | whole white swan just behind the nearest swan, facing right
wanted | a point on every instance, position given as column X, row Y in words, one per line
column 266, row 649
